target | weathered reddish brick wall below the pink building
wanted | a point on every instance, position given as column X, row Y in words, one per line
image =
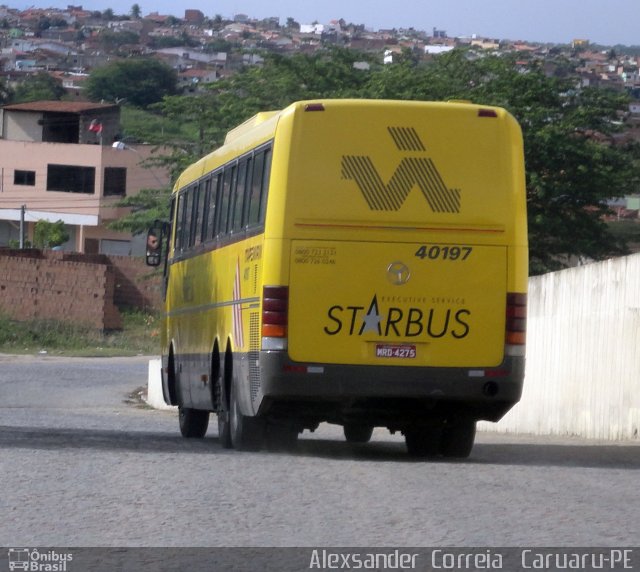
column 78, row 288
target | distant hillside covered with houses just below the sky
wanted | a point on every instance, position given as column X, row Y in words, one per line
column 77, row 40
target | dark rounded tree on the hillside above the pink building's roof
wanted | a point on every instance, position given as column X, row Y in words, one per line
column 141, row 81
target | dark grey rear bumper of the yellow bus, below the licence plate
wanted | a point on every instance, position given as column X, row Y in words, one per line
column 480, row 393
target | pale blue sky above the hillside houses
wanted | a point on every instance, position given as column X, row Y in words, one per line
column 607, row 22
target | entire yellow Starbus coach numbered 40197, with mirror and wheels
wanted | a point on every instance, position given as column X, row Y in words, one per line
column 361, row 263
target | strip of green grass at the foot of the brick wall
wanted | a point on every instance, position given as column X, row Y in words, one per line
column 139, row 336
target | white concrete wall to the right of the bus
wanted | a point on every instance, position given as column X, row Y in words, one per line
column 583, row 354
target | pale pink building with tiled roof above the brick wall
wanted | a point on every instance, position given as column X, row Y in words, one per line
column 58, row 160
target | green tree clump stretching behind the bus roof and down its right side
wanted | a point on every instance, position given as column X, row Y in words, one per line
column 573, row 164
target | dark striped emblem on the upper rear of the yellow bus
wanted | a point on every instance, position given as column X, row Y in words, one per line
column 411, row 172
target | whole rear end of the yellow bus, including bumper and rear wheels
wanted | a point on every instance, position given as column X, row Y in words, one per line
column 396, row 256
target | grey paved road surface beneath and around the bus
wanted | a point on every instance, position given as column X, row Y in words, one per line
column 83, row 464
